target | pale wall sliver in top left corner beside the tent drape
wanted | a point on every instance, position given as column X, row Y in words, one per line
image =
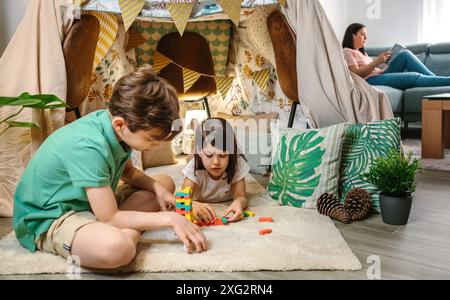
column 11, row 13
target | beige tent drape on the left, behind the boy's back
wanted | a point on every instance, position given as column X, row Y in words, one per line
column 33, row 62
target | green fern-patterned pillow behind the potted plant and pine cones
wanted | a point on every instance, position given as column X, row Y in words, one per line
column 362, row 145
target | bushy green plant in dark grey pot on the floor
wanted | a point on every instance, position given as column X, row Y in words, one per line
column 395, row 176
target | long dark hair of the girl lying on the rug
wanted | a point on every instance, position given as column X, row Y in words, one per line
column 218, row 133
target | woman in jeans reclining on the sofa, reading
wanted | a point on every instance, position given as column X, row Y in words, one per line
column 404, row 70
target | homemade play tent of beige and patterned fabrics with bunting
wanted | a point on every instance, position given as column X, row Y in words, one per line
column 130, row 30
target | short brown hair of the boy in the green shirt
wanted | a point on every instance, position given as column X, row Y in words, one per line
column 146, row 101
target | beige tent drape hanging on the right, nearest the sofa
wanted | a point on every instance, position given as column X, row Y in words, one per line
column 329, row 93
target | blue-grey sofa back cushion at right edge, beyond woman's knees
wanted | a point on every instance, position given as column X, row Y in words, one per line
column 438, row 60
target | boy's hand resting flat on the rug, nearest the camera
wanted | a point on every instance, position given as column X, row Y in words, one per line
column 189, row 233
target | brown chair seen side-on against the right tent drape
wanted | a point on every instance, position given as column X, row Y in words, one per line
column 284, row 44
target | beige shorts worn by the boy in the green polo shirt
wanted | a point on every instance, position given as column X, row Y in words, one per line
column 59, row 237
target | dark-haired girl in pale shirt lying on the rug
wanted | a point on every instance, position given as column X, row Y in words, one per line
column 217, row 171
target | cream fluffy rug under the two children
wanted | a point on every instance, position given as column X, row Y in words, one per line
column 301, row 240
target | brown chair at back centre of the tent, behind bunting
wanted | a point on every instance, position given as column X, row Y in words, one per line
column 192, row 52
